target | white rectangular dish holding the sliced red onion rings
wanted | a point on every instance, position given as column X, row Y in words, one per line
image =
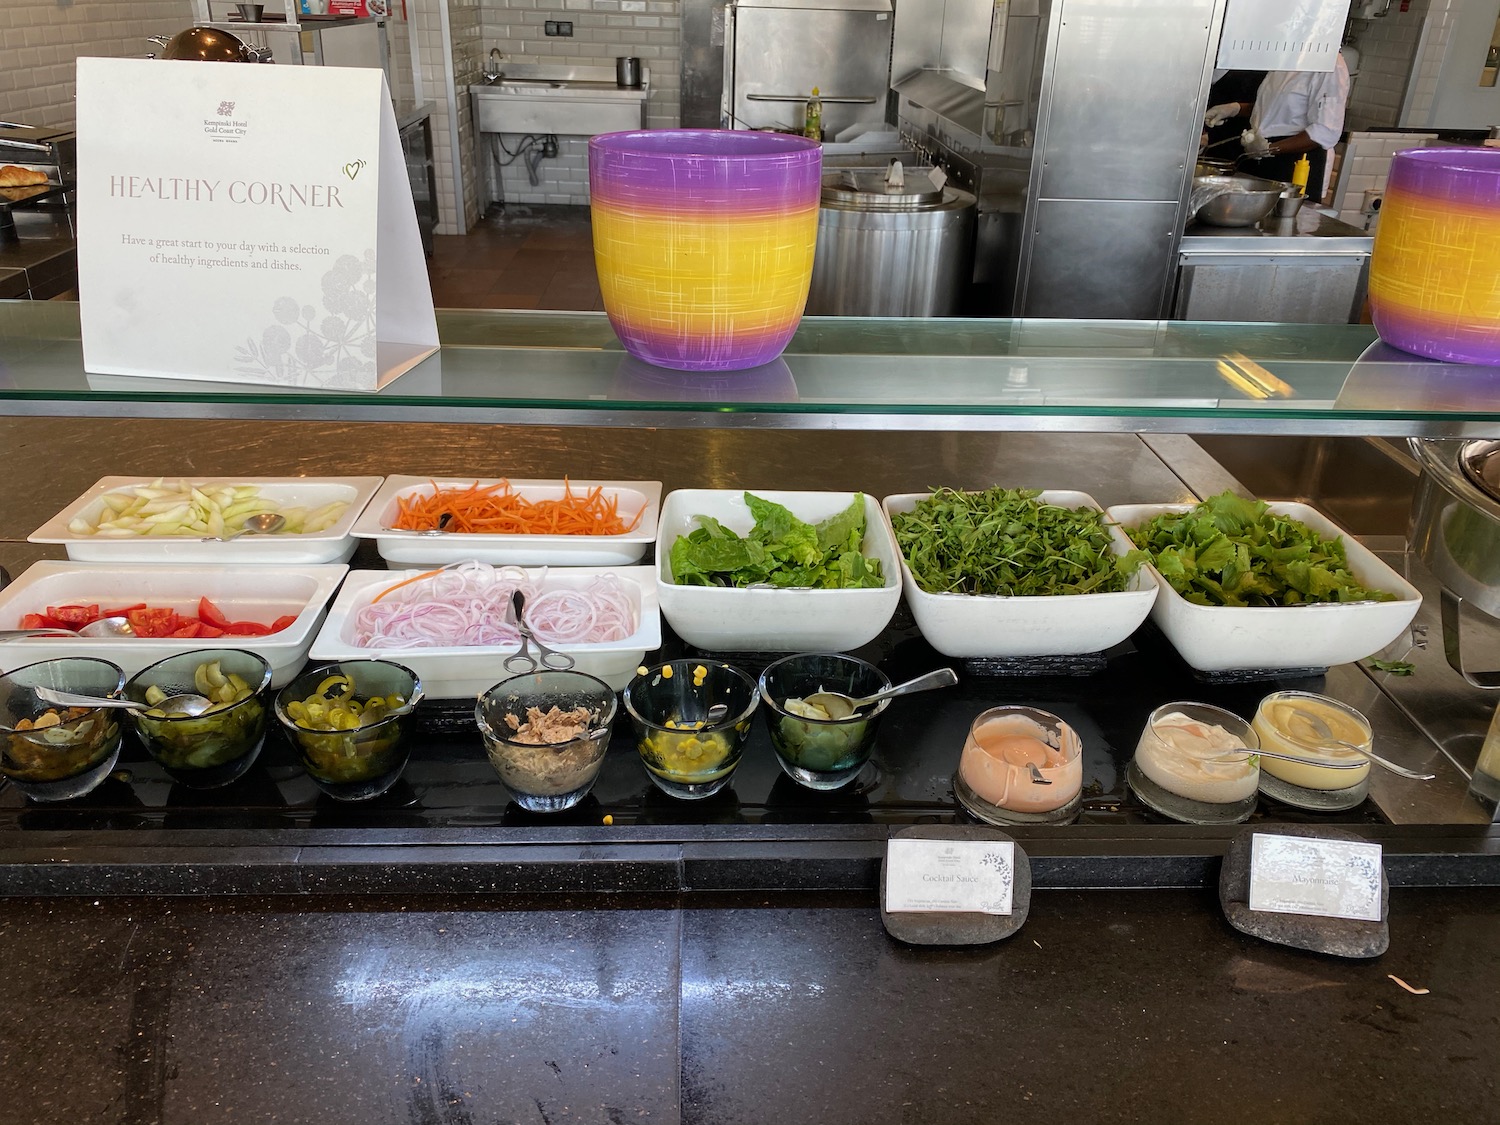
column 466, row 671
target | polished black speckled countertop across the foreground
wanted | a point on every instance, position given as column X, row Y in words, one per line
column 1106, row 1007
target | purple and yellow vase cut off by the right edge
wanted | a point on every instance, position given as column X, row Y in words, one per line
column 1435, row 271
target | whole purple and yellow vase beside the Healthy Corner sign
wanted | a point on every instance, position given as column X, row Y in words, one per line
column 704, row 242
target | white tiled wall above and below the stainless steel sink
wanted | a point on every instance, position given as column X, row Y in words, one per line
column 602, row 29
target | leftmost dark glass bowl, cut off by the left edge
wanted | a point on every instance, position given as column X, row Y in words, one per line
column 70, row 757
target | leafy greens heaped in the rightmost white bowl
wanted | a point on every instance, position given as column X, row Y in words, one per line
column 1231, row 551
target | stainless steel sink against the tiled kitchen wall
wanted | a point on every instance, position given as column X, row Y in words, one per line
column 578, row 101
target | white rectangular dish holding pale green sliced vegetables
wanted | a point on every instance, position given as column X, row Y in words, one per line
column 332, row 545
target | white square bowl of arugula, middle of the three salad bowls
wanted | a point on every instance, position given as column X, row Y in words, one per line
column 1007, row 628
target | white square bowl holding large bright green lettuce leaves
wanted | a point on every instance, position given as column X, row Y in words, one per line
column 727, row 620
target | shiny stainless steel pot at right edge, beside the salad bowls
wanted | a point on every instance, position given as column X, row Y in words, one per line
column 1456, row 530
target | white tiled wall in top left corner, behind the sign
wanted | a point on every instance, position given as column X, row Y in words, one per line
column 41, row 40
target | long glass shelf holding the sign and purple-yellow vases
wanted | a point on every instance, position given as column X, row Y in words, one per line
column 560, row 368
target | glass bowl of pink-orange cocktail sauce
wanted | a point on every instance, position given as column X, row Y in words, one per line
column 1021, row 766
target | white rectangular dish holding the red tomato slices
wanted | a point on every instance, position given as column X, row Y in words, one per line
column 272, row 593
